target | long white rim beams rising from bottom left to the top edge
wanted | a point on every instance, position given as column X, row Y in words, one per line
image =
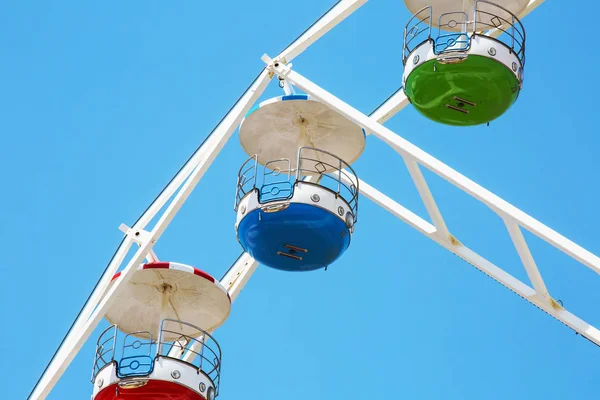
column 191, row 173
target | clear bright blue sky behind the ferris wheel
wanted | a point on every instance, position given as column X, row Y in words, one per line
column 100, row 104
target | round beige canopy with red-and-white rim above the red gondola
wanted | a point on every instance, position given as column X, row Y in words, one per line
column 191, row 296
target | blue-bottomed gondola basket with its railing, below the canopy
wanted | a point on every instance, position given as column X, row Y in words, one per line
column 297, row 219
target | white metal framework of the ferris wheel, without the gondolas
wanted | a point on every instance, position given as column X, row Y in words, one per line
column 178, row 190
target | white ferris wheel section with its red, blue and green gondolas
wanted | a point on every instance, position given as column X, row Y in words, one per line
column 297, row 196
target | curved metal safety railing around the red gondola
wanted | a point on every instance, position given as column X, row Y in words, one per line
column 134, row 353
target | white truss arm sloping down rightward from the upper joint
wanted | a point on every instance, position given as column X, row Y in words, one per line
column 513, row 217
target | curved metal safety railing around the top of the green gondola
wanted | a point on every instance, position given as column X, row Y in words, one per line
column 486, row 17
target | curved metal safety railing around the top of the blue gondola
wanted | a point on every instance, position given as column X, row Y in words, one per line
column 278, row 179
